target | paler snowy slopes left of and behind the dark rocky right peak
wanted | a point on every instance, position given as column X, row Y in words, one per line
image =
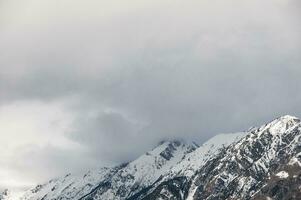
column 126, row 180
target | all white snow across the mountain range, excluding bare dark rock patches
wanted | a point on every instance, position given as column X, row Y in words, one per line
column 146, row 169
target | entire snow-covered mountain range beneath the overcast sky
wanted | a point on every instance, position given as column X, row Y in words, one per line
column 262, row 163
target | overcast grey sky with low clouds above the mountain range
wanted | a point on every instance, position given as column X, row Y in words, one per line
column 88, row 83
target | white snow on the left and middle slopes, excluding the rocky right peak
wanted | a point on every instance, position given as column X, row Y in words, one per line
column 143, row 171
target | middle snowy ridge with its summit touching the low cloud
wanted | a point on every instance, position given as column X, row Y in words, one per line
column 144, row 171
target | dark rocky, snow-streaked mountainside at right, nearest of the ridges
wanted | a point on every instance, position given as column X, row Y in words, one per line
column 243, row 170
